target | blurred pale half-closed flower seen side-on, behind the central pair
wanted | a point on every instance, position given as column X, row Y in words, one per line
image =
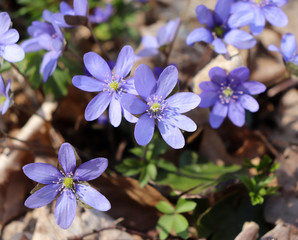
column 165, row 36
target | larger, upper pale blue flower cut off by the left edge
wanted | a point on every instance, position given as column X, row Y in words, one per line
column 10, row 51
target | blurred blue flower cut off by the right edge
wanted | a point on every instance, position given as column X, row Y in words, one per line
column 288, row 47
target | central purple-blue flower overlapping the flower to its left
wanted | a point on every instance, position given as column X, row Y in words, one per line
column 155, row 107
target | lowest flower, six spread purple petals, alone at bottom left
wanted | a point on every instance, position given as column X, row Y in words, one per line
column 69, row 185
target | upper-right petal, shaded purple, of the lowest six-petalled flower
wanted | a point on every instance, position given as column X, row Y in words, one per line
column 91, row 169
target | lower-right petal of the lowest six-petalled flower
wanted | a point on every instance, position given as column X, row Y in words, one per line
column 93, row 198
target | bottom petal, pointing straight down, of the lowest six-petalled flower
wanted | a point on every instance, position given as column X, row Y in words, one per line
column 65, row 209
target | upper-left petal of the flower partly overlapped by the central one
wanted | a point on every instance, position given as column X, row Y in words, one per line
column 97, row 66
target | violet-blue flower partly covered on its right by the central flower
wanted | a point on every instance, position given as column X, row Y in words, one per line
column 111, row 85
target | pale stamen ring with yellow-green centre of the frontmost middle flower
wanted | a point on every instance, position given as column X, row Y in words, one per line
column 157, row 107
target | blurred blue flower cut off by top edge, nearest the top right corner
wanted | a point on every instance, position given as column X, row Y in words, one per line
column 255, row 12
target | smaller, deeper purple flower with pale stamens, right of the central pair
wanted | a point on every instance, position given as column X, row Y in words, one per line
column 230, row 95
